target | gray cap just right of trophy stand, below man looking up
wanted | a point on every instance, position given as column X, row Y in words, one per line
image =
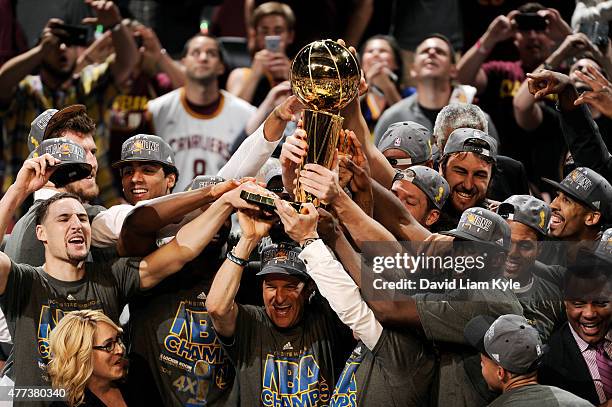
column 406, row 144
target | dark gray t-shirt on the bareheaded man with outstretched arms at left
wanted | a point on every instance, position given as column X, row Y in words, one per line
column 34, row 302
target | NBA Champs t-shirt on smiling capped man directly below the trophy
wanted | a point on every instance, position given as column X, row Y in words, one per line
column 290, row 367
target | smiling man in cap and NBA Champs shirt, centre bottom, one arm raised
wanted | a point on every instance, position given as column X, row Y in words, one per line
column 289, row 351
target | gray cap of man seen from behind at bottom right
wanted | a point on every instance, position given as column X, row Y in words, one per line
column 510, row 341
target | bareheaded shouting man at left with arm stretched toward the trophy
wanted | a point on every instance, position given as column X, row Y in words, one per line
column 34, row 299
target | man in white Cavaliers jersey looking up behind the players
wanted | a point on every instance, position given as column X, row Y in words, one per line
column 200, row 121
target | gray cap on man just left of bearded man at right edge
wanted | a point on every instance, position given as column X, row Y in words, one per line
column 527, row 210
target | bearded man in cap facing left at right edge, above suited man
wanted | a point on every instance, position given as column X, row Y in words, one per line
column 582, row 205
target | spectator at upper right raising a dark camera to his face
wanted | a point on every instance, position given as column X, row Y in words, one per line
column 497, row 81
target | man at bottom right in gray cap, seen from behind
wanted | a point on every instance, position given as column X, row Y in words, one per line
column 510, row 350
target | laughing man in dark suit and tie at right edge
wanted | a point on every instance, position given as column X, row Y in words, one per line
column 579, row 357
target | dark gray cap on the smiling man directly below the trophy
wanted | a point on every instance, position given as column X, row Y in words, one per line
column 282, row 258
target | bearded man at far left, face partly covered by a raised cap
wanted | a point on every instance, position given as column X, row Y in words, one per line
column 74, row 124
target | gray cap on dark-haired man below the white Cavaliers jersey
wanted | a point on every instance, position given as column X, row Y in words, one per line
column 146, row 147
